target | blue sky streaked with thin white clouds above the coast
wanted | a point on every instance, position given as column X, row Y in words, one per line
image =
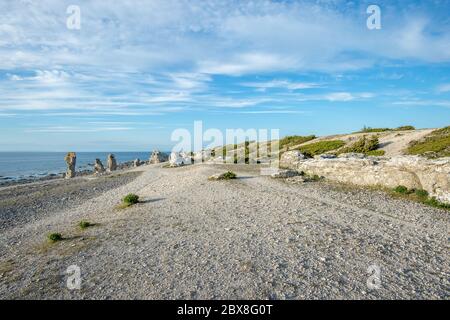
column 135, row 71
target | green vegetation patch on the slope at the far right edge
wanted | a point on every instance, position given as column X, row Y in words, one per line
column 435, row 145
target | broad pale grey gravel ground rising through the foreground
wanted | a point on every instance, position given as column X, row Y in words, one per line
column 250, row 238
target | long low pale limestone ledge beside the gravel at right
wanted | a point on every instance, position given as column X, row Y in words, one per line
column 412, row 172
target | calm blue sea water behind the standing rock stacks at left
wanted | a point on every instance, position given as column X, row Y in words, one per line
column 19, row 165
